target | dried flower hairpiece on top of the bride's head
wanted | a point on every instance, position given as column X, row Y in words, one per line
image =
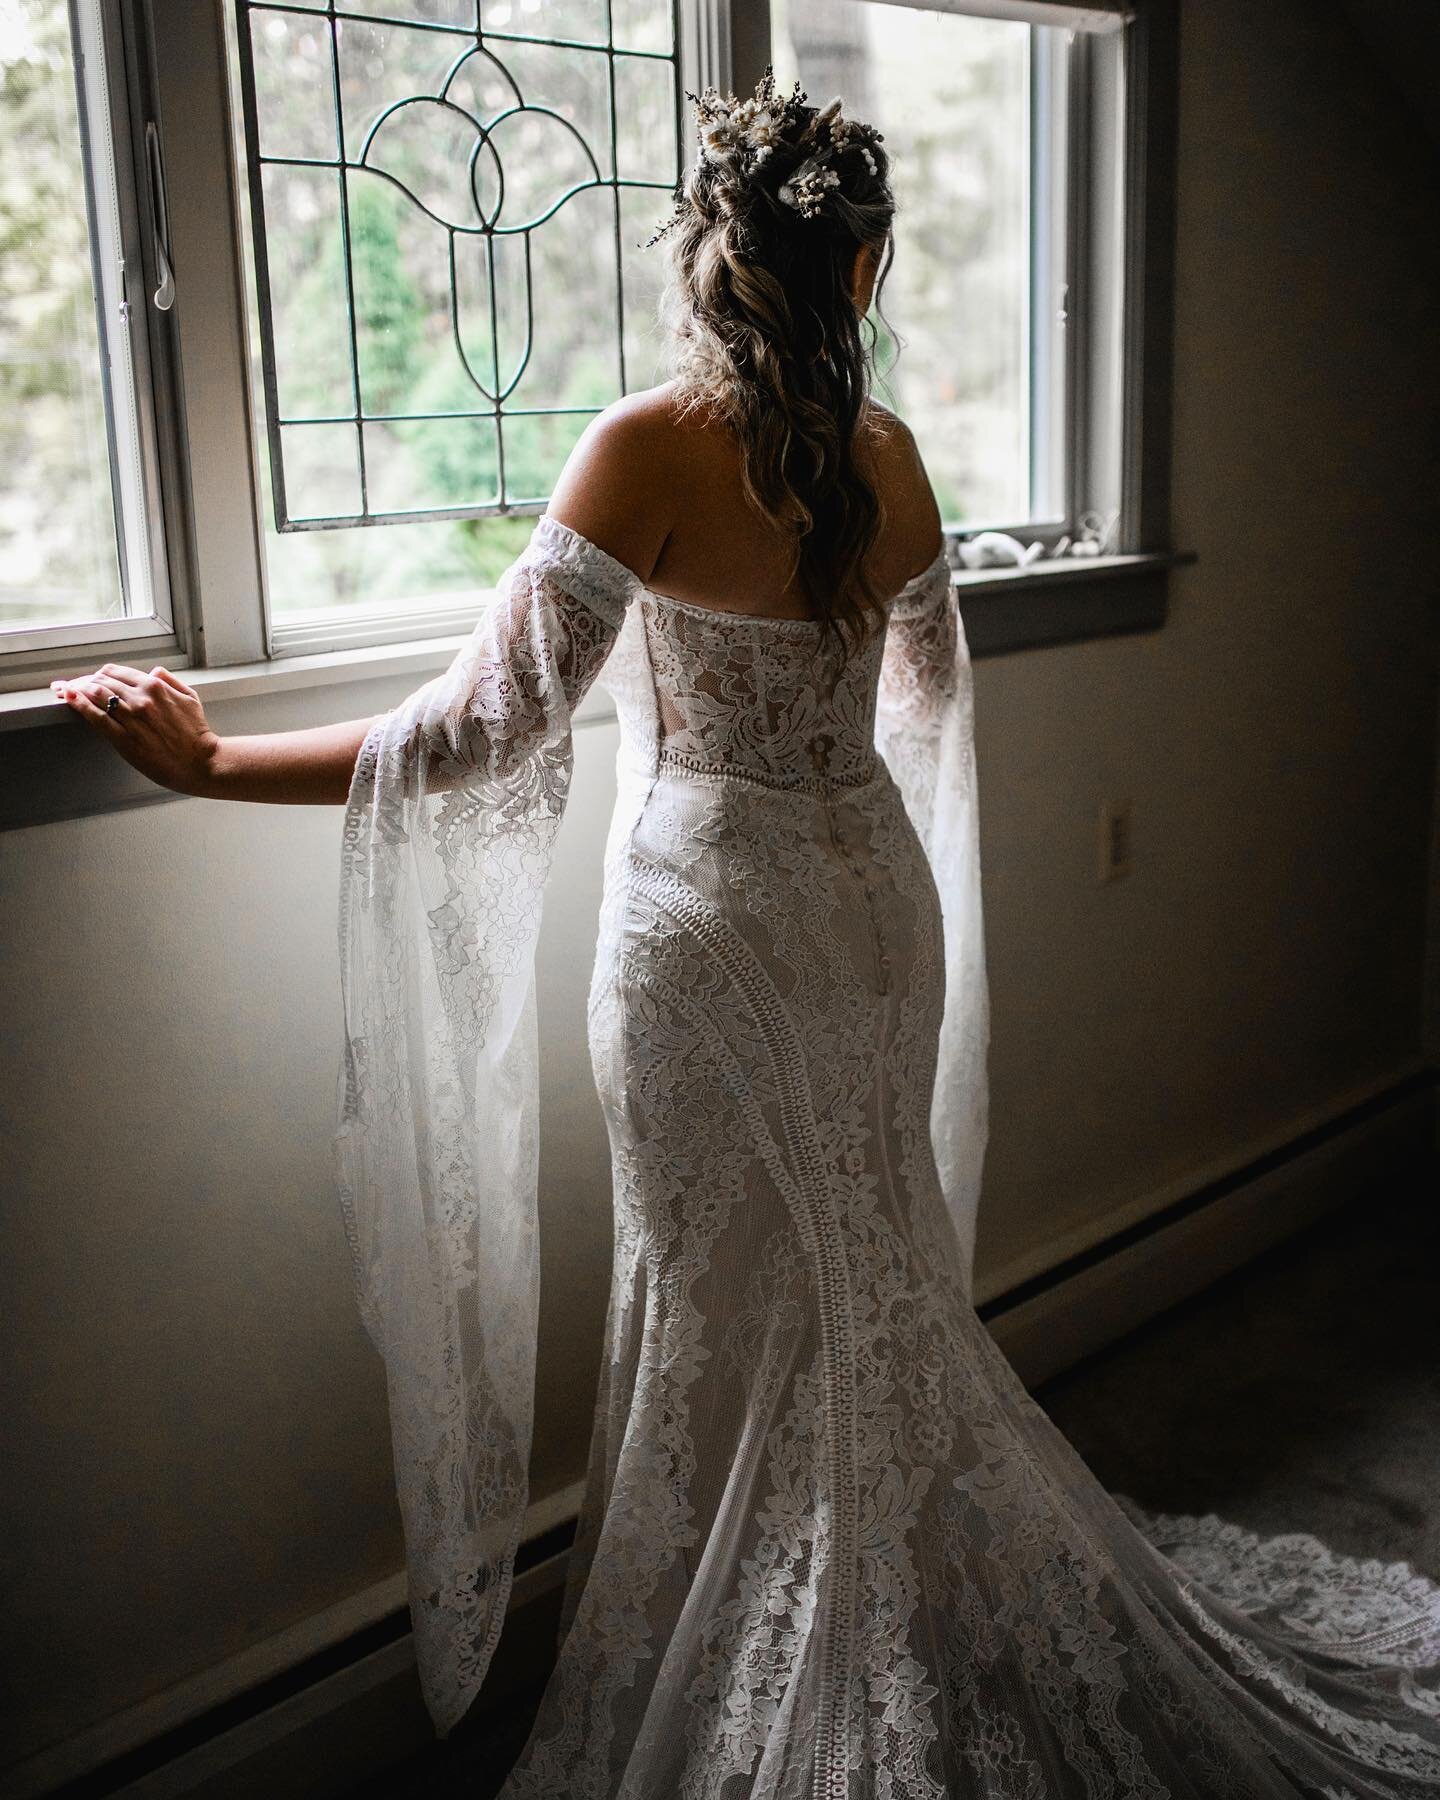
column 746, row 134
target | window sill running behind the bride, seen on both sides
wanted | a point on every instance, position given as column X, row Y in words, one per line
column 60, row 769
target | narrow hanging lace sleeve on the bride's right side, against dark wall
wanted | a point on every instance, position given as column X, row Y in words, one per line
column 926, row 733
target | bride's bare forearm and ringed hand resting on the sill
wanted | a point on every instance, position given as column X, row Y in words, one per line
column 159, row 726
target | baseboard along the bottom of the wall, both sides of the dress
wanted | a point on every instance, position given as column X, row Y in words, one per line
column 363, row 1714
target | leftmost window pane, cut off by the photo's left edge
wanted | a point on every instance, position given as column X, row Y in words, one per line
column 82, row 541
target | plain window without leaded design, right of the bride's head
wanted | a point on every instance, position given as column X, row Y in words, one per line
column 993, row 127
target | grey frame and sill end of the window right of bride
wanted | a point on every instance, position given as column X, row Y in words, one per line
column 1120, row 251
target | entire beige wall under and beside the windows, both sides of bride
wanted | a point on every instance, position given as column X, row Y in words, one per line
column 197, row 1425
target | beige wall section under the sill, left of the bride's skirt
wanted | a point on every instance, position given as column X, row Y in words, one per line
column 195, row 1423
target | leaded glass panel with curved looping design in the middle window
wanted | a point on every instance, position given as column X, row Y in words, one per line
column 426, row 181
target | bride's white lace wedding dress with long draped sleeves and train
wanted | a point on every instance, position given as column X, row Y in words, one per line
column 829, row 1549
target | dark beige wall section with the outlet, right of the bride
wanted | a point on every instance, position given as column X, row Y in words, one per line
column 1279, row 735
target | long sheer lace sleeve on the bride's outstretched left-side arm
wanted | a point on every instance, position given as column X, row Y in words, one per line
column 447, row 841
